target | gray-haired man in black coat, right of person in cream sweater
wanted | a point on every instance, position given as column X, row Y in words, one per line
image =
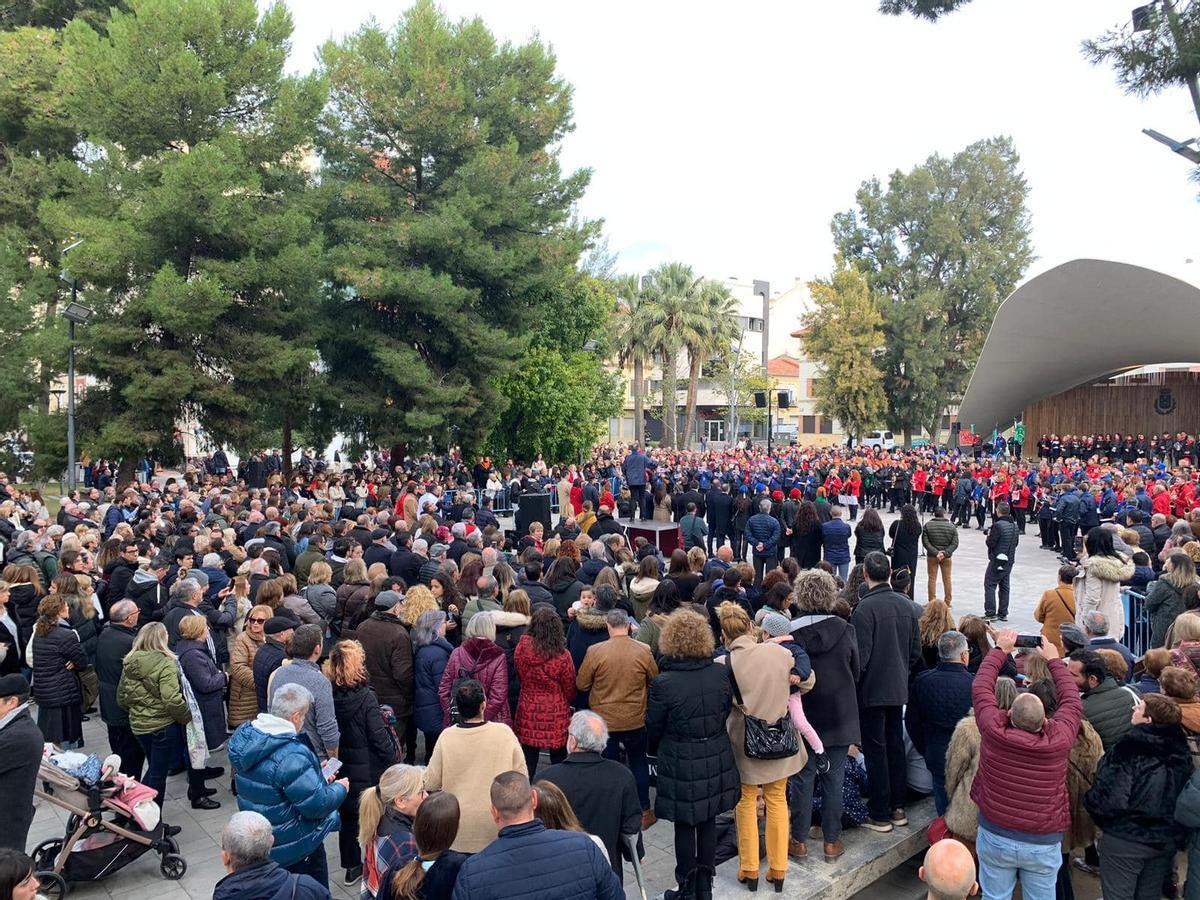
column 603, row 793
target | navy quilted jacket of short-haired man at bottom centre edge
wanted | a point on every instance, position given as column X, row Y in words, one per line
column 527, row 862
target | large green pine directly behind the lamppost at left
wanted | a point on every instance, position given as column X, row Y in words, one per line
column 200, row 247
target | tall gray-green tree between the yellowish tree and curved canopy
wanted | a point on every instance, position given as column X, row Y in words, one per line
column 953, row 238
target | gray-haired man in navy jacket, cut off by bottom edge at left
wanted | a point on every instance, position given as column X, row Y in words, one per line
column 247, row 855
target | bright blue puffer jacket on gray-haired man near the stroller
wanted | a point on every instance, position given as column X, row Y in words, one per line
column 280, row 778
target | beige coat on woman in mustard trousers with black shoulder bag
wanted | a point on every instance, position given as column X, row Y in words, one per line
column 763, row 671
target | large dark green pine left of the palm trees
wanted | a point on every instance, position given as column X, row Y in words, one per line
column 453, row 221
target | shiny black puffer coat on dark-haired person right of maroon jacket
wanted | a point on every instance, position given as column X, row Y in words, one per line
column 1136, row 788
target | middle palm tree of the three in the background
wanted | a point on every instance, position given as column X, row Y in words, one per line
column 673, row 314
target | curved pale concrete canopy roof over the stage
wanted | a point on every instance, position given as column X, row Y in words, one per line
column 1075, row 325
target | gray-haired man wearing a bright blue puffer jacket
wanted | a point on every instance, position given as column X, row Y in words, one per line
column 280, row 777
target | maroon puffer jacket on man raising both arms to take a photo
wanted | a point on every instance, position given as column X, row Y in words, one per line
column 1022, row 784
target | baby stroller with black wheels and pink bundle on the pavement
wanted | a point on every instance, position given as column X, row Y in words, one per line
column 111, row 824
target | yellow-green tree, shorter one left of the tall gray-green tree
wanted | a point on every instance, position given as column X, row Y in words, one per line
column 843, row 334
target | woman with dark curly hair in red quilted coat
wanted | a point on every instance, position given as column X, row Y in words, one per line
column 548, row 688
